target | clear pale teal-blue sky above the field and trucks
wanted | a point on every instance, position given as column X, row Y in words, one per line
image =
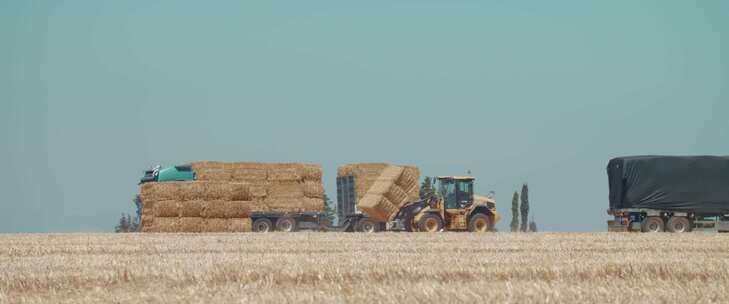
column 94, row 92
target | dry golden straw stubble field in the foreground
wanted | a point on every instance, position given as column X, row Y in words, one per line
column 385, row 267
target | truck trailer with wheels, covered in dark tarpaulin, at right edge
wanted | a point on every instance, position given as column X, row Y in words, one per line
column 668, row 193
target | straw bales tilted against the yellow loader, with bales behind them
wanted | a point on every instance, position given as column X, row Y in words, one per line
column 383, row 188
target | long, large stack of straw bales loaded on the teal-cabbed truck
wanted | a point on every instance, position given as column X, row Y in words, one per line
column 224, row 195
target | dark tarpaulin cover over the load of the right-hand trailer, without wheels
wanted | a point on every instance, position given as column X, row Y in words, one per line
column 696, row 183
